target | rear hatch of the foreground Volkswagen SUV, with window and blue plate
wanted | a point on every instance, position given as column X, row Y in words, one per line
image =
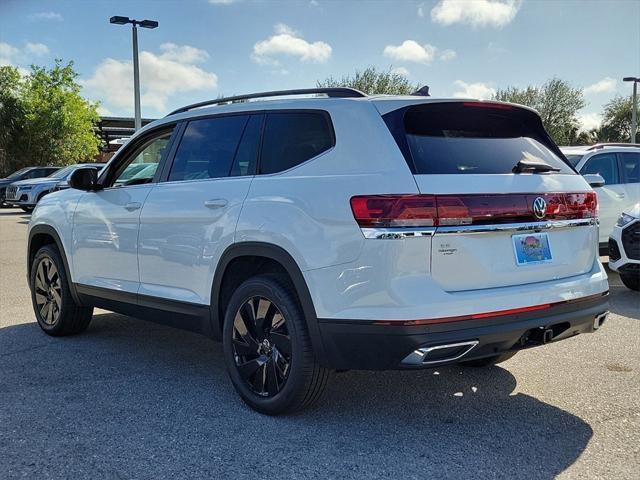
column 507, row 209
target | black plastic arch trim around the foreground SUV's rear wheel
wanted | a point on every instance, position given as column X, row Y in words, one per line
column 281, row 257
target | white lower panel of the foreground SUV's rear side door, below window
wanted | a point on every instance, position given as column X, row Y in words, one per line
column 181, row 239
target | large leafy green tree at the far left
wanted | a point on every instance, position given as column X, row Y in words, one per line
column 50, row 122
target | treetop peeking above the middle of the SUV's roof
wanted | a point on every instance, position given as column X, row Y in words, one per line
column 373, row 81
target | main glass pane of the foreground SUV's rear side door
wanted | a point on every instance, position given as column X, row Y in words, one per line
column 208, row 148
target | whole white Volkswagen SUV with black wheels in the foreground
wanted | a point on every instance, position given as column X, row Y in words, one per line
column 334, row 232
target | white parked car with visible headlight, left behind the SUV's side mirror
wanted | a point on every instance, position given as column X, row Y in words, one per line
column 27, row 193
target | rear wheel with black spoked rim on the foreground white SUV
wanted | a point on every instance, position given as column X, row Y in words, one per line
column 268, row 350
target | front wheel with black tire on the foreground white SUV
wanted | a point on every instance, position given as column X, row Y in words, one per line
column 56, row 311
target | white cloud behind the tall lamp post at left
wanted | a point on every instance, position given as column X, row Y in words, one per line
column 161, row 75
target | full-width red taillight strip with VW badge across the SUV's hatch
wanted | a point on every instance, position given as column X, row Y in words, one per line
column 476, row 209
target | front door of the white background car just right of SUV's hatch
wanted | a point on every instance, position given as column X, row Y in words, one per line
column 611, row 196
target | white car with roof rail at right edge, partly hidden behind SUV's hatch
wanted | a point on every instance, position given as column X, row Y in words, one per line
column 619, row 165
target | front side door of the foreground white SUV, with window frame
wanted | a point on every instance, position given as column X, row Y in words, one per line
column 106, row 222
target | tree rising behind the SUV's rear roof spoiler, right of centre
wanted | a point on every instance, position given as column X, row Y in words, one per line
column 557, row 102
